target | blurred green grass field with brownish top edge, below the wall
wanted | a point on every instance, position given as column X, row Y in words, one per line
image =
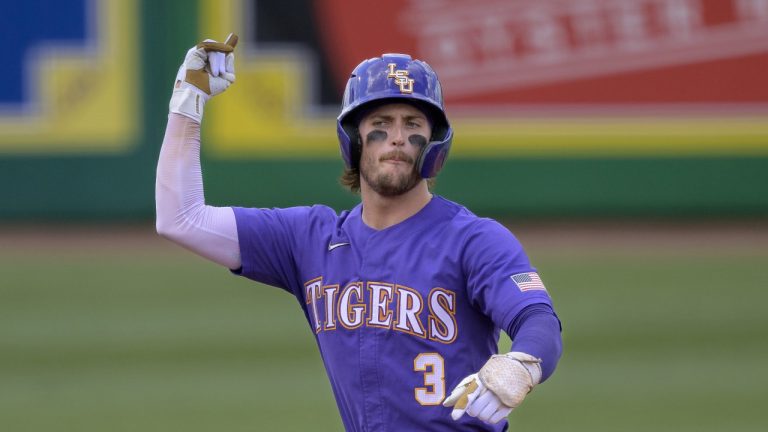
column 125, row 332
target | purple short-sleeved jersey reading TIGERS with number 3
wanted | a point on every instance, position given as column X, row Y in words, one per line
column 400, row 315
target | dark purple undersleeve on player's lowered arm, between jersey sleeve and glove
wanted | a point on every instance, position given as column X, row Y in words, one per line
column 536, row 331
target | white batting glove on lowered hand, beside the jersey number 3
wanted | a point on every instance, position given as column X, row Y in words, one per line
column 499, row 387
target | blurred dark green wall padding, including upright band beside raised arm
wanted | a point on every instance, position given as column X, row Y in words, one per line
column 120, row 185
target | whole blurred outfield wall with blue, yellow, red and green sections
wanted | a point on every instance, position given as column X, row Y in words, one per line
column 561, row 109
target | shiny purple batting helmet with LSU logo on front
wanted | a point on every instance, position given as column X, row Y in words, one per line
column 398, row 78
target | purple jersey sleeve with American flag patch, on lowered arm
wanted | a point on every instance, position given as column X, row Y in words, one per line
column 501, row 281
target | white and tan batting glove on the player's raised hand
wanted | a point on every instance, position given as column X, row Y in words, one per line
column 208, row 70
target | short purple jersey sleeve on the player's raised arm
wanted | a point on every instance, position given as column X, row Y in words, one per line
column 269, row 247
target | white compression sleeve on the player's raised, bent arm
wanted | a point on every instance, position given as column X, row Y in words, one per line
column 182, row 215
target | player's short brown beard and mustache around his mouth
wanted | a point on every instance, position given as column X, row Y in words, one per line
column 389, row 184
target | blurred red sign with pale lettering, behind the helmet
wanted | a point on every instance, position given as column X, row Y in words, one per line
column 506, row 52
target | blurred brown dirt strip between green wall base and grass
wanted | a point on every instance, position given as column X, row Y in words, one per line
column 546, row 236
